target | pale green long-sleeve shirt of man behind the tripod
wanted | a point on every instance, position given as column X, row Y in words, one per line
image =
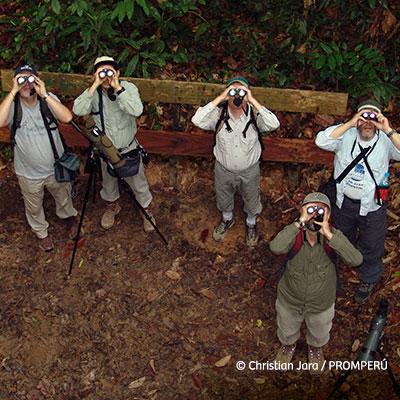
column 119, row 115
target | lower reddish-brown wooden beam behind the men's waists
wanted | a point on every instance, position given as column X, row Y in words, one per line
column 200, row 145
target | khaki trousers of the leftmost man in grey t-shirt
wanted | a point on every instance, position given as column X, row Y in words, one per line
column 33, row 192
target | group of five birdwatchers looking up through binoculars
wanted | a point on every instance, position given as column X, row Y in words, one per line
column 309, row 246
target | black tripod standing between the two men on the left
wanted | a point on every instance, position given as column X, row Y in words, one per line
column 92, row 166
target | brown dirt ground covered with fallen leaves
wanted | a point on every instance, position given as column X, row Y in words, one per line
column 138, row 320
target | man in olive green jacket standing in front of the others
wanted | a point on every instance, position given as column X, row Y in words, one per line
column 308, row 282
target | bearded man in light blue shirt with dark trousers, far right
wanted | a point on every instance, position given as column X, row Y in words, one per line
column 360, row 209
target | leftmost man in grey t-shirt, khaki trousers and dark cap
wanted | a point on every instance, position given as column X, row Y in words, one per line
column 33, row 154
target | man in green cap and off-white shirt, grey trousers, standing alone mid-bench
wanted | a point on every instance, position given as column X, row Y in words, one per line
column 237, row 119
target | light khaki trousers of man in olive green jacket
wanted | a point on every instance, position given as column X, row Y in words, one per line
column 318, row 325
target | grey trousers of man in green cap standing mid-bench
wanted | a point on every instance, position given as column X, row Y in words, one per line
column 246, row 182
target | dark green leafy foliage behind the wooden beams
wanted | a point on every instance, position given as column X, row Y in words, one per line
column 328, row 46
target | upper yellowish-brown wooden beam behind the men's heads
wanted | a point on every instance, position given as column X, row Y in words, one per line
column 198, row 93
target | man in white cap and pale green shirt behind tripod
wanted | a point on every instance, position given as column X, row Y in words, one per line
column 115, row 105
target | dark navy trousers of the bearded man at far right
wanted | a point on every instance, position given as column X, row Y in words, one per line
column 371, row 230
